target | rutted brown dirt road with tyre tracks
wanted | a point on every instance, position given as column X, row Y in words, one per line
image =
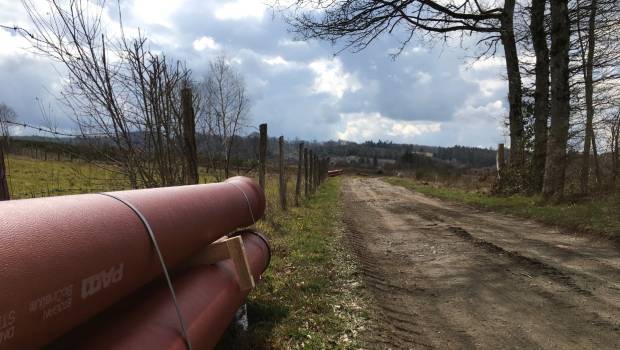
column 446, row 276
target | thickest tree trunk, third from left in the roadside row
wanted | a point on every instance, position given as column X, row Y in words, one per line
column 555, row 166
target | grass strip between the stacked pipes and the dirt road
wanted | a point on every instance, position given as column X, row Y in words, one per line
column 311, row 295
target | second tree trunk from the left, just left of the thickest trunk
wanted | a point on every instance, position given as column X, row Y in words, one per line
column 541, row 93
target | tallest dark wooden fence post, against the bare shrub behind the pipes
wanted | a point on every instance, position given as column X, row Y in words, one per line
column 189, row 135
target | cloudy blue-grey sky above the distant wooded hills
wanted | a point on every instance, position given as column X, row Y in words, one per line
column 433, row 96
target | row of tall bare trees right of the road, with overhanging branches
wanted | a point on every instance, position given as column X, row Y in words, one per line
column 561, row 63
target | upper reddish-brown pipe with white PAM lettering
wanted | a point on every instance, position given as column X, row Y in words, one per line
column 65, row 259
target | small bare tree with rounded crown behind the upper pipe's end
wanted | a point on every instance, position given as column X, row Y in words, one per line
column 224, row 112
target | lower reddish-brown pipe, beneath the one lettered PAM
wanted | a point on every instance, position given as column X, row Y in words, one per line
column 208, row 297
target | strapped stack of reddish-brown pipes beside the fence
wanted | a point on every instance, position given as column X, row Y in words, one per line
column 88, row 271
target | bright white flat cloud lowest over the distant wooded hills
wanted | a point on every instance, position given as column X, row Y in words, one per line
column 373, row 126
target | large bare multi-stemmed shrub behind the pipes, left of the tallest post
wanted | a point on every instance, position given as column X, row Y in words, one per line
column 117, row 89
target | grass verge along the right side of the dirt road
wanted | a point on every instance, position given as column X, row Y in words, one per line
column 599, row 215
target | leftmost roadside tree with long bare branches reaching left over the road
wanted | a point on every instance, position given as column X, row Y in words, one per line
column 360, row 22
